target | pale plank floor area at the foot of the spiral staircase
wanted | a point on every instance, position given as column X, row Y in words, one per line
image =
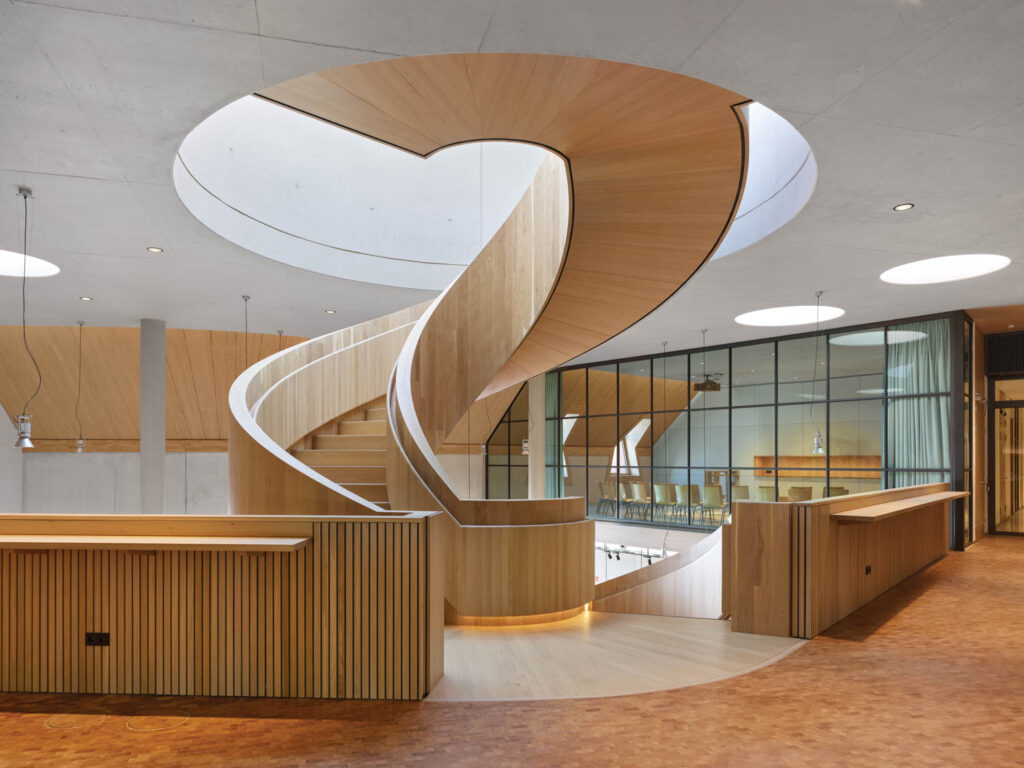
column 598, row 655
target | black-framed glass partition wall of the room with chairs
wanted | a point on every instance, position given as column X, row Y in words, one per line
column 676, row 439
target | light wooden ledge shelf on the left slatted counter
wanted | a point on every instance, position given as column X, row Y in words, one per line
column 40, row 542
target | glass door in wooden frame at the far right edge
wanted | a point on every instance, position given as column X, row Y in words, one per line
column 1007, row 452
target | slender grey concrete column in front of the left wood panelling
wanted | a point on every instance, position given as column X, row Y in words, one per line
column 153, row 415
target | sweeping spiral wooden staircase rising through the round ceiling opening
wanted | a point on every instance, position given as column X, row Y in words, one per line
column 642, row 185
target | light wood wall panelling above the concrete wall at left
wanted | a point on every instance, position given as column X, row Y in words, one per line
column 201, row 367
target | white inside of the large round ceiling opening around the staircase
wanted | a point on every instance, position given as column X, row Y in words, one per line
column 315, row 196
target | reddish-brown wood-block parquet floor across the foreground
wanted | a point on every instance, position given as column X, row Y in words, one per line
column 929, row 674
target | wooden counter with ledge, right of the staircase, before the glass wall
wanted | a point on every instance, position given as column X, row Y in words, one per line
column 796, row 569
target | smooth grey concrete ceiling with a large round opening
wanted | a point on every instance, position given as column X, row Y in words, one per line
column 901, row 101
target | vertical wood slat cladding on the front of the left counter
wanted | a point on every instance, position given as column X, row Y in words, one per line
column 232, row 624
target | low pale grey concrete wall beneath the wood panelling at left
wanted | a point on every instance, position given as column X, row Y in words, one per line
column 109, row 484
